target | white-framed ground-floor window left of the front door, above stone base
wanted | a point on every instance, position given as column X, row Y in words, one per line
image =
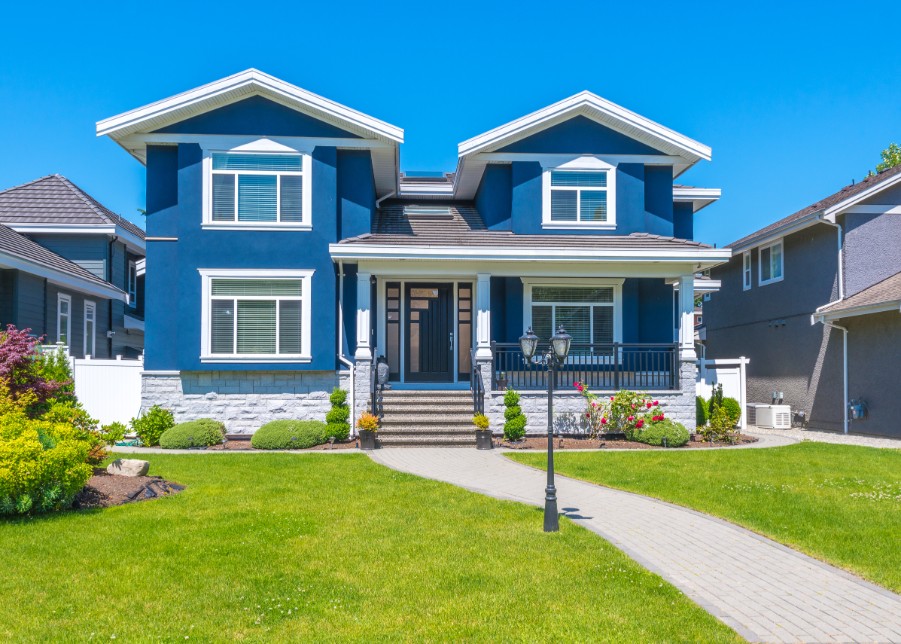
column 256, row 315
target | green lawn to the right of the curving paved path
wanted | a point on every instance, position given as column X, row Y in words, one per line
column 839, row 503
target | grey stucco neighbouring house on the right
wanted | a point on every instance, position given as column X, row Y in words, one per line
column 814, row 300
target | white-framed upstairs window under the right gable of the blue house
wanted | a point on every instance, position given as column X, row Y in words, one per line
column 580, row 194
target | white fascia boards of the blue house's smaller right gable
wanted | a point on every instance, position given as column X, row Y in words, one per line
column 594, row 107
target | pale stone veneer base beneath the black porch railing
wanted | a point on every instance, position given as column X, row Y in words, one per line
column 569, row 406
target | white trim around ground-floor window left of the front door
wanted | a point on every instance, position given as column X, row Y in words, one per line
column 208, row 274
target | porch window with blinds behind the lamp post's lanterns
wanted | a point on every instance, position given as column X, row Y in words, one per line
column 585, row 312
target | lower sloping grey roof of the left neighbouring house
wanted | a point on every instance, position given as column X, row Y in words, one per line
column 19, row 252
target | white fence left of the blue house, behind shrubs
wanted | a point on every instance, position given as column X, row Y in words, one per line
column 110, row 390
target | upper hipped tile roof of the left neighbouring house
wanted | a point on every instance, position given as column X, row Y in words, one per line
column 54, row 201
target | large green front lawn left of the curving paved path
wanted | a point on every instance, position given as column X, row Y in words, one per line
column 325, row 547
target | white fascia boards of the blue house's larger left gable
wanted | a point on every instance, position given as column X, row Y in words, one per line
column 250, row 82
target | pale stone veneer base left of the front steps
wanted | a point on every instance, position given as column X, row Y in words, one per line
column 243, row 400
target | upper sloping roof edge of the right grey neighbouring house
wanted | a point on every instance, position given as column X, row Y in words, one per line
column 807, row 216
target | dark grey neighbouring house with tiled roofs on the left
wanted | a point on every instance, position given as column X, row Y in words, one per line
column 71, row 270
